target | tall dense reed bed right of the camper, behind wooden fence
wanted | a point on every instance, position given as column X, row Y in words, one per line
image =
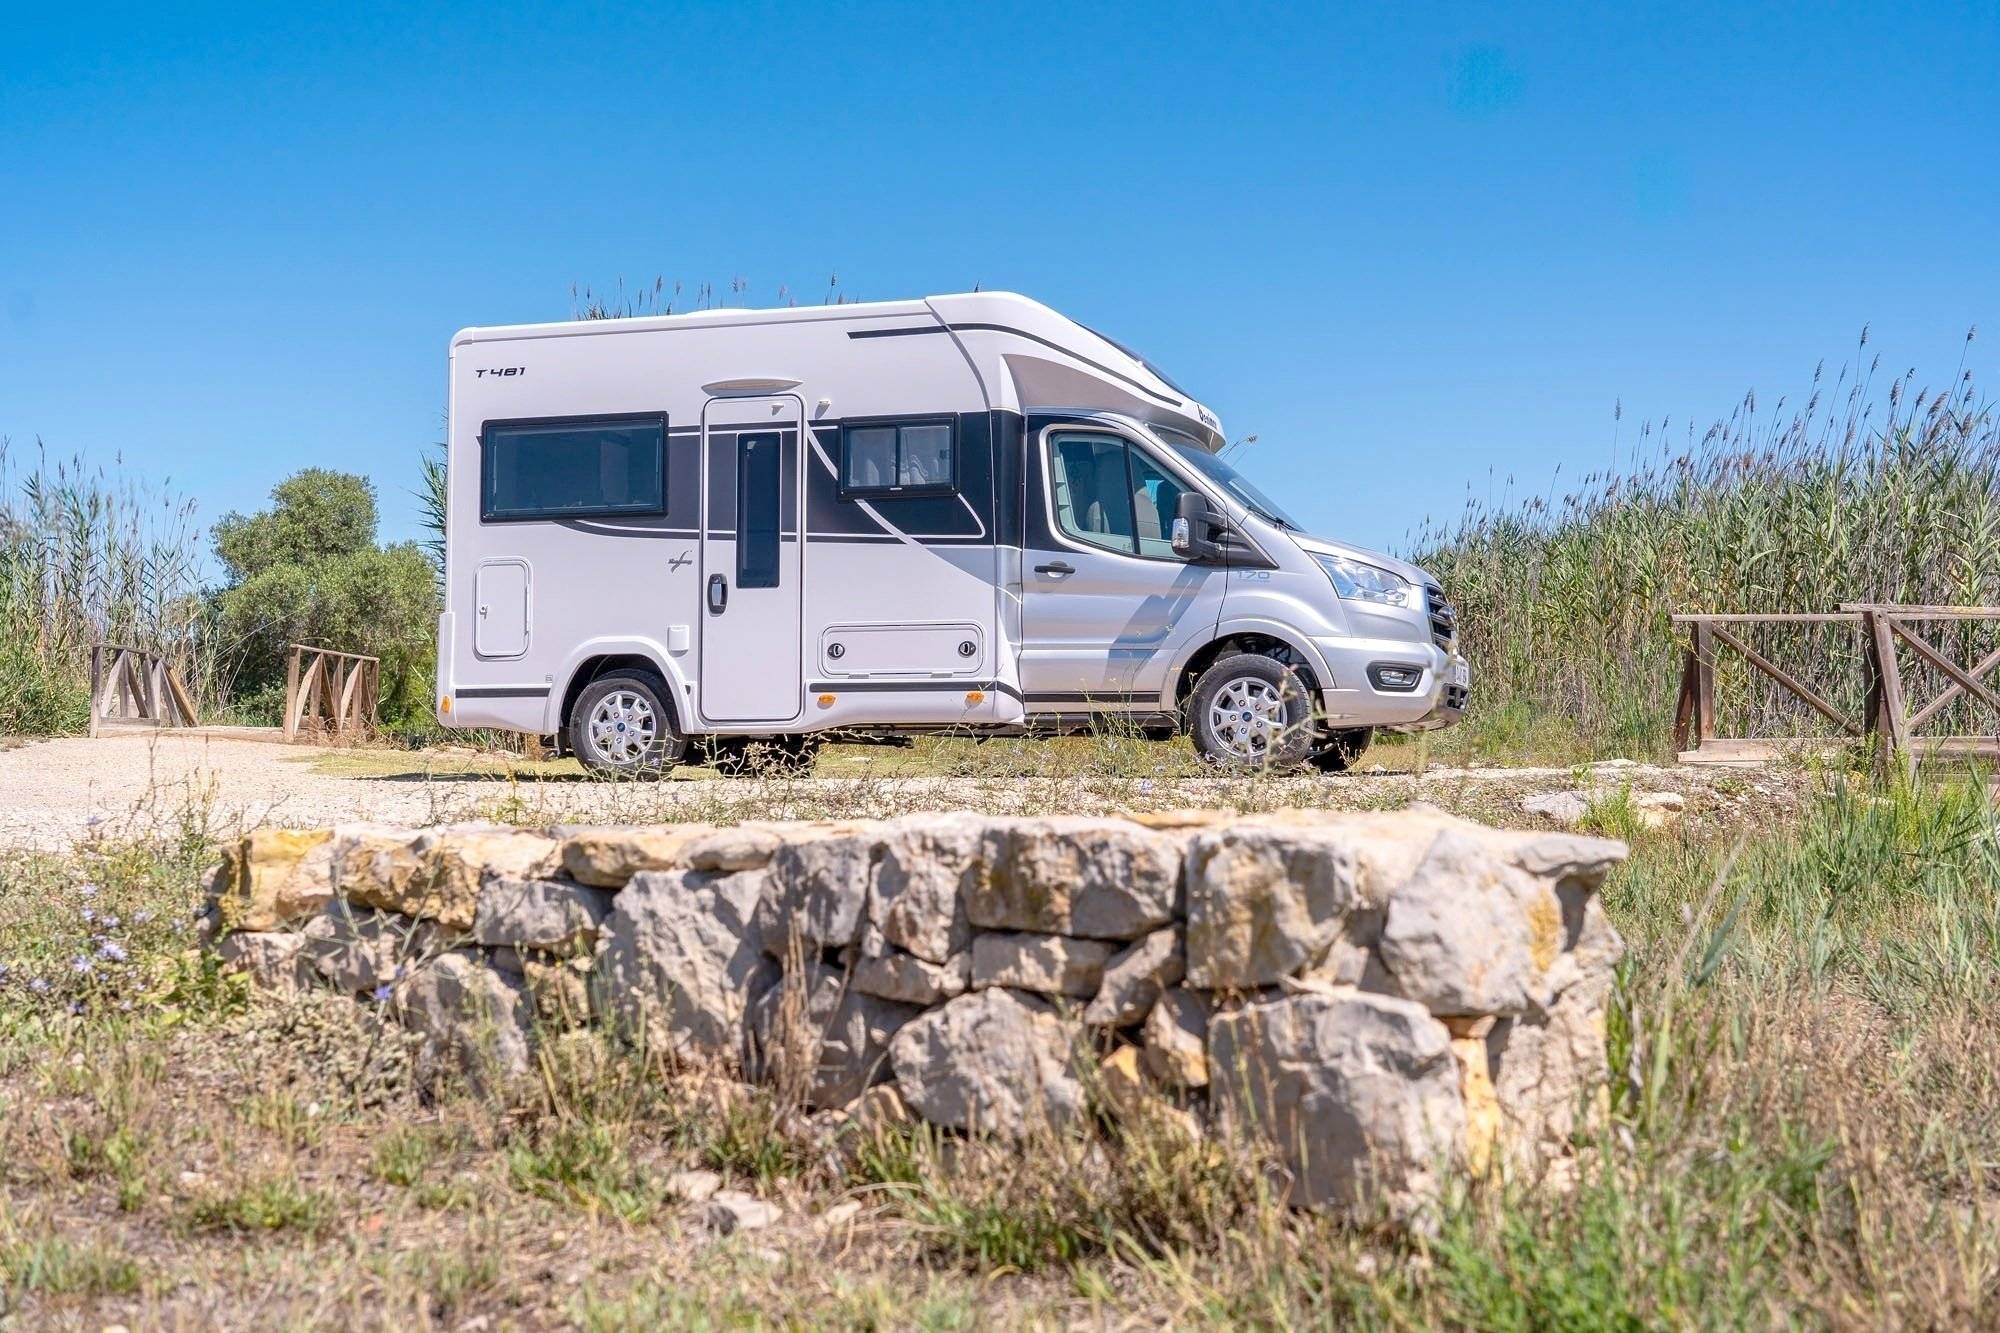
column 1863, row 491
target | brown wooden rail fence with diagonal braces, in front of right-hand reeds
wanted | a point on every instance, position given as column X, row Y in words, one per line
column 1885, row 718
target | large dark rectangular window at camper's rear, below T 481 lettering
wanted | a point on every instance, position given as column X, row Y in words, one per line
column 571, row 469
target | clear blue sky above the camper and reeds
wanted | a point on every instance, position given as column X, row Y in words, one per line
column 1415, row 249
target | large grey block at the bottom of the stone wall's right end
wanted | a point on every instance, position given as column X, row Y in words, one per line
column 1357, row 1092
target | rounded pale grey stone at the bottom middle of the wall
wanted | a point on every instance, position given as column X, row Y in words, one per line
column 993, row 1060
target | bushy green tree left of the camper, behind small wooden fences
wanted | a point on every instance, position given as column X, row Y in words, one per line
column 309, row 571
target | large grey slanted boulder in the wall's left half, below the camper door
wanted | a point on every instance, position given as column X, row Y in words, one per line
column 683, row 960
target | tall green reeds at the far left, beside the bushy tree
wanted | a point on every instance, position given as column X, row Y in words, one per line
column 87, row 555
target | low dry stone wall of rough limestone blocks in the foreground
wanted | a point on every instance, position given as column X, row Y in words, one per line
column 1375, row 996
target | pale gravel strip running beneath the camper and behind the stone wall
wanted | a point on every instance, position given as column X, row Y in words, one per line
column 161, row 784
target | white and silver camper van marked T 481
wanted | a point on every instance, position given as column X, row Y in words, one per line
column 721, row 537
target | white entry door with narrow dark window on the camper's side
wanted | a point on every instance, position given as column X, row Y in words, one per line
column 753, row 561
